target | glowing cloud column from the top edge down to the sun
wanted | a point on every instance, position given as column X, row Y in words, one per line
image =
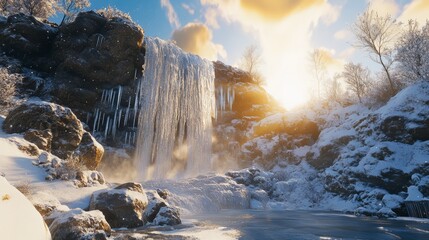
column 283, row 30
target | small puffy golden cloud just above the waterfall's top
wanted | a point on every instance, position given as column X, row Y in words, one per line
column 196, row 38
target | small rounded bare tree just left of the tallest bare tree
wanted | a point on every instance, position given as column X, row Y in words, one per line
column 357, row 78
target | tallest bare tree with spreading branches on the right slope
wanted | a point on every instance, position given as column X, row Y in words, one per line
column 377, row 35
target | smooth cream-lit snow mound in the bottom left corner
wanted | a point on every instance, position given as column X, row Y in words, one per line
column 18, row 217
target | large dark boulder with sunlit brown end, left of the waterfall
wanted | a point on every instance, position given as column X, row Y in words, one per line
column 55, row 128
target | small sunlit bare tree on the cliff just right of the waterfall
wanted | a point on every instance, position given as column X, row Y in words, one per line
column 250, row 62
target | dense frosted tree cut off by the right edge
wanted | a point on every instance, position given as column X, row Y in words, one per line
column 413, row 52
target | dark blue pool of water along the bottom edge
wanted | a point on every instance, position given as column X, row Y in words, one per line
column 253, row 224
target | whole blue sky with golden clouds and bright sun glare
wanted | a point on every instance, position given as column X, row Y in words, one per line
column 285, row 32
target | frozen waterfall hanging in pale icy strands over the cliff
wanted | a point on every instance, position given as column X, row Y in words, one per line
column 176, row 108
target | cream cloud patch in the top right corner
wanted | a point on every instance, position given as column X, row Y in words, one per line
column 417, row 10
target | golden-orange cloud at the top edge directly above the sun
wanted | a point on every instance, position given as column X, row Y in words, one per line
column 277, row 9
